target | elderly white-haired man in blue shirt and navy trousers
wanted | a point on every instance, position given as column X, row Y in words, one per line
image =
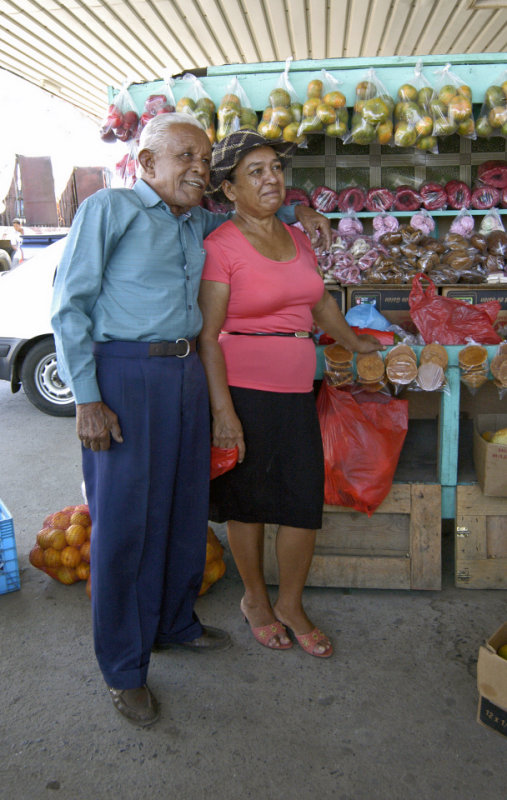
column 125, row 318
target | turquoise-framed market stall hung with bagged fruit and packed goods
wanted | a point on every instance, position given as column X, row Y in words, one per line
column 383, row 139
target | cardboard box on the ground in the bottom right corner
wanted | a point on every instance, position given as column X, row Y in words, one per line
column 492, row 683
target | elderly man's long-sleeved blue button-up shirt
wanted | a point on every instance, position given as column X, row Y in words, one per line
column 130, row 271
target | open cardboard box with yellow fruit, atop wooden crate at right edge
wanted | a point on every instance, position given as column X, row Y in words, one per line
column 490, row 460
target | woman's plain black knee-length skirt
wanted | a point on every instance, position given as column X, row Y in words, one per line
column 281, row 480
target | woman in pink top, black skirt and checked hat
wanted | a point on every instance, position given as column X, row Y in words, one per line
column 259, row 295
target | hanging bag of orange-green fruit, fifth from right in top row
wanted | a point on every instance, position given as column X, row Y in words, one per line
column 325, row 108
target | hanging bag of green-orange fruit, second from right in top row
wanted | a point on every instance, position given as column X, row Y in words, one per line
column 452, row 106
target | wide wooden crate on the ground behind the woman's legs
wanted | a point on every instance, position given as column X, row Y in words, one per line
column 398, row 547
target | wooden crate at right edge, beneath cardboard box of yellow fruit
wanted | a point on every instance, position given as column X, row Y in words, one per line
column 480, row 540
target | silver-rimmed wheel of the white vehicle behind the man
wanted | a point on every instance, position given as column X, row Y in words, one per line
column 42, row 384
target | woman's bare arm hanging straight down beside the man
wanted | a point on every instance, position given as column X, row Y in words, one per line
column 227, row 429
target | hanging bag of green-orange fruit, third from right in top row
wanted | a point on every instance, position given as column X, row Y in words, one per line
column 413, row 115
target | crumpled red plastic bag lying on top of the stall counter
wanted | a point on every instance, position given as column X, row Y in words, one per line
column 447, row 320
